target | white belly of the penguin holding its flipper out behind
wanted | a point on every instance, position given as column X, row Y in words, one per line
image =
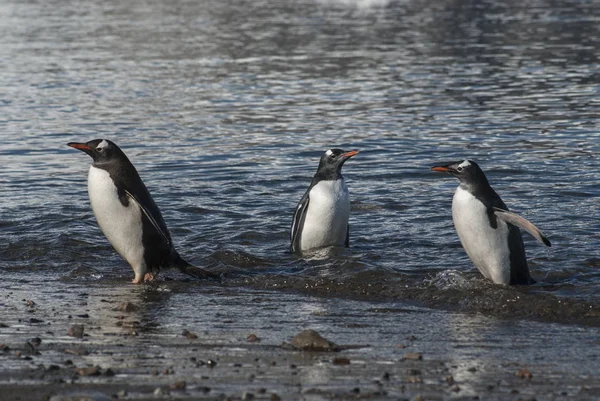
column 487, row 247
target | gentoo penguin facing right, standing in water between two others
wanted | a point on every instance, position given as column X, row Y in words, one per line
column 321, row 217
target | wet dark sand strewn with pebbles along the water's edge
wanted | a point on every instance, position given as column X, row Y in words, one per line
column 190, row 341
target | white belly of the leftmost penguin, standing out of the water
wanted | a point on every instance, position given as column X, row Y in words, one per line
column 122, row 225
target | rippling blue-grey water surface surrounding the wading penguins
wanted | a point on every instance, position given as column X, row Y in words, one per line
column 226, row 106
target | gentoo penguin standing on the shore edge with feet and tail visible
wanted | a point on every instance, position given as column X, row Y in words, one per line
column 127, row 215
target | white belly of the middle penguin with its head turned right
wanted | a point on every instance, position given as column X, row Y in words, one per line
column 326, row 221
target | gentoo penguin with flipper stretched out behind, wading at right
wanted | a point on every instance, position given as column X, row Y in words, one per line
column 489, row 233
